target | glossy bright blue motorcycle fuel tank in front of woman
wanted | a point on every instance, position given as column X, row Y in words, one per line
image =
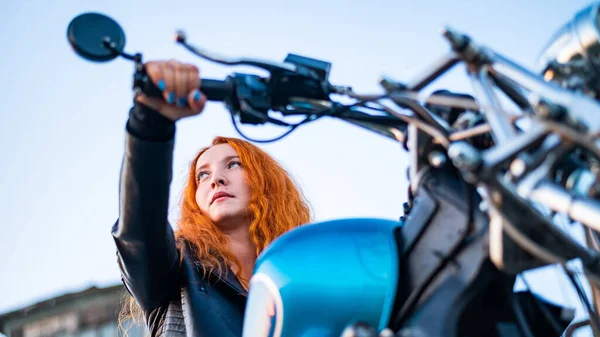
column 316, row 279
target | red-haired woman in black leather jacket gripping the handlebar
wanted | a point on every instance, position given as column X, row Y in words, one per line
column 194, row 281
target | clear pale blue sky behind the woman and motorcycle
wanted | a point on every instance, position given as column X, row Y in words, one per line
column 63, row 118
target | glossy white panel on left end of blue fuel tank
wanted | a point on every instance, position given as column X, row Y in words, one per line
column 264, row 309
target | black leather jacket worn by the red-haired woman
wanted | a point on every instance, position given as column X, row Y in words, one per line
column 176, row 300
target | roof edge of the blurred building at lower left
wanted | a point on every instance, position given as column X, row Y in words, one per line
column 55, row 301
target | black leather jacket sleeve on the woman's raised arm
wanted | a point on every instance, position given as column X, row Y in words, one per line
column 146, row 250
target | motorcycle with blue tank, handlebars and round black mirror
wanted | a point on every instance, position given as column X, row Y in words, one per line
column 485, row 186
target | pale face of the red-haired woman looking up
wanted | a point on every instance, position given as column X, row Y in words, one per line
column 222, row 192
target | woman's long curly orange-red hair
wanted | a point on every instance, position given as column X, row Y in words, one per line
column 276, row 206
